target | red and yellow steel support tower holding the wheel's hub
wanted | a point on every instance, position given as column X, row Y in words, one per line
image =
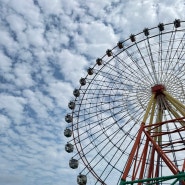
column 153, row 134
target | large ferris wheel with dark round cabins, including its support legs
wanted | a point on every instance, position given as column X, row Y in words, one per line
column 126, row 123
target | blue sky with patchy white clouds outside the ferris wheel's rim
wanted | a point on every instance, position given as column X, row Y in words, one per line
column 45, row 47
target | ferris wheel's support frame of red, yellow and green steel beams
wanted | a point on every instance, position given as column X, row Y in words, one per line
column 153, row 135
